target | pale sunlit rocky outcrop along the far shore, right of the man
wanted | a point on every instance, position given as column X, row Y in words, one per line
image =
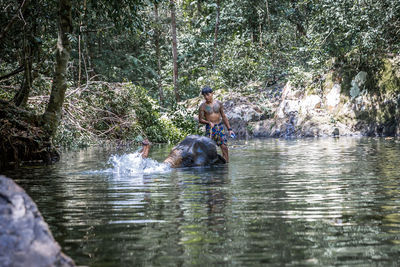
column 325, row 109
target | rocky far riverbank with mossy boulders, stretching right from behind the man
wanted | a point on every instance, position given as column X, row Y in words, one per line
column 328, row 105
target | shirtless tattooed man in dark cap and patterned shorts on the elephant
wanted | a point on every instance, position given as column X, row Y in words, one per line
column 211, row 113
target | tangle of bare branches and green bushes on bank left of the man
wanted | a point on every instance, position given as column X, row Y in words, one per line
column 122, row 112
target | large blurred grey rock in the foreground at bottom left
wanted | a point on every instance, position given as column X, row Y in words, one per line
column 25, row 238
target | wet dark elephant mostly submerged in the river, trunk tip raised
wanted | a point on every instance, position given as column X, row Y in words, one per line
column 193, row 151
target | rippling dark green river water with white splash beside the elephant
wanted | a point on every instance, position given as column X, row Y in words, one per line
column 279, row 202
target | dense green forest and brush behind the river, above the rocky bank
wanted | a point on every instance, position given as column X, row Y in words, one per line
column 125, row 80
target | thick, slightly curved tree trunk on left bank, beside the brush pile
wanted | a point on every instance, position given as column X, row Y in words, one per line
column 52, row 115
